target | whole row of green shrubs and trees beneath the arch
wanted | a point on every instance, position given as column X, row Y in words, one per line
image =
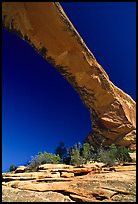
column 81, row 154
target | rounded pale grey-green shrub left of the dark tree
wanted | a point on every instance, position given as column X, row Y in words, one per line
column 43, row 158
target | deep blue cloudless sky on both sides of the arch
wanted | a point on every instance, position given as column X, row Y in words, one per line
column 39, row 107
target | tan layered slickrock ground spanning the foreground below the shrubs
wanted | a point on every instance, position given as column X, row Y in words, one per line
column 101, row 184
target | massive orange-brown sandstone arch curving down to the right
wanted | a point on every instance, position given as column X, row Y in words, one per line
column 47, row 28
